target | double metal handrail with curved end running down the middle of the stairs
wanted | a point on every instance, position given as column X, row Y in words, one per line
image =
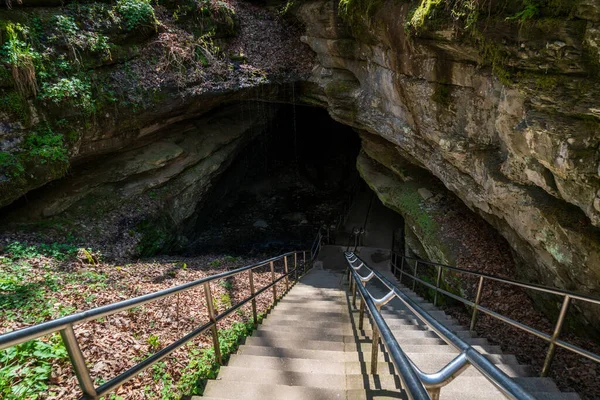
column 418, row 384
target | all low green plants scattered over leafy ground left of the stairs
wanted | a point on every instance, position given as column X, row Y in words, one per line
column 29, row 282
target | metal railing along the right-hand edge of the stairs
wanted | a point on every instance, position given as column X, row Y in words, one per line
column 552, row 339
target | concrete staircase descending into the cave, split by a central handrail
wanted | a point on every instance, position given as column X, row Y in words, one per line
column 310, row 347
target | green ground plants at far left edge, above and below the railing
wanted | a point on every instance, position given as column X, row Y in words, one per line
column 28, row 290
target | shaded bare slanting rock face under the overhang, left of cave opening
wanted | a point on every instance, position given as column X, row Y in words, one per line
column 138, row 198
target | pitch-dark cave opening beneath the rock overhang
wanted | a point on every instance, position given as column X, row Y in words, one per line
column 294, row 177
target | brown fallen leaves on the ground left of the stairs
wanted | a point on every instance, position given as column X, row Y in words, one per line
column 115, row 343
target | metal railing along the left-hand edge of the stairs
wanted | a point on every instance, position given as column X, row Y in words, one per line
column 65, row 325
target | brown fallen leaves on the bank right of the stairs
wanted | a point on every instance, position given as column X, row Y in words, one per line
column 484, row 250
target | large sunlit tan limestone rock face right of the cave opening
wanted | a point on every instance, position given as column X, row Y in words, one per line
column 521, row 151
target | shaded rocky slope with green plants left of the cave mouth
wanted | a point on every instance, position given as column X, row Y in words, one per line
column 125, row 114
